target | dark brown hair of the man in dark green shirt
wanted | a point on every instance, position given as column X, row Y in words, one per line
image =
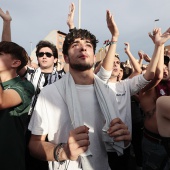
column 15, row 51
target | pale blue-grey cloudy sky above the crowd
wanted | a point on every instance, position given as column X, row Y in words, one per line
column 32, row 20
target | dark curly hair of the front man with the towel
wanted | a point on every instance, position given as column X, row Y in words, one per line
column 78, row 33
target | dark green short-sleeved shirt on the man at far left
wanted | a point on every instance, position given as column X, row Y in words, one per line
column 13, row 123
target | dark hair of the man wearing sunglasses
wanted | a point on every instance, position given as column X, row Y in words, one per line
column 44, row 43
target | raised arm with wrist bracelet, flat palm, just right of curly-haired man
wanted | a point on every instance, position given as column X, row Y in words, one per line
column 108, row 60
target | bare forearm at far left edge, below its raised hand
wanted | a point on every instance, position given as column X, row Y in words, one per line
column 6, row 32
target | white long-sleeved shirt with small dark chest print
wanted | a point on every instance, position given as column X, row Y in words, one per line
column 123, row 91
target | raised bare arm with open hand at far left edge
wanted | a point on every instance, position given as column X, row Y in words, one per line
column 6, row 32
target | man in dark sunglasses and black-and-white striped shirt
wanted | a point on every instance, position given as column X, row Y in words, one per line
column 46, row 73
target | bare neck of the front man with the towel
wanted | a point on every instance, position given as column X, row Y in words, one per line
column 83, row 77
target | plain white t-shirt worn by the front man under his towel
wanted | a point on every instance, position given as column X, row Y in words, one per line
column 51, row 117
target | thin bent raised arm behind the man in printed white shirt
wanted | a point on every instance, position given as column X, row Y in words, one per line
column 136, row 66
